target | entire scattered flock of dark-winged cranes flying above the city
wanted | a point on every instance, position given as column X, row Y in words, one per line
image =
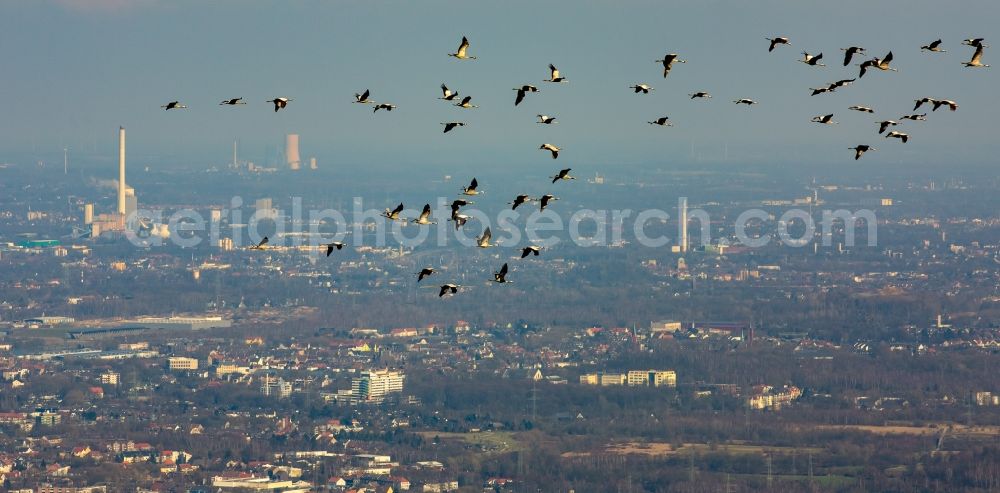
column 555, row 76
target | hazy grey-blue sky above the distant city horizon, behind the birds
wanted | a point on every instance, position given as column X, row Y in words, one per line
column 74, row 70
